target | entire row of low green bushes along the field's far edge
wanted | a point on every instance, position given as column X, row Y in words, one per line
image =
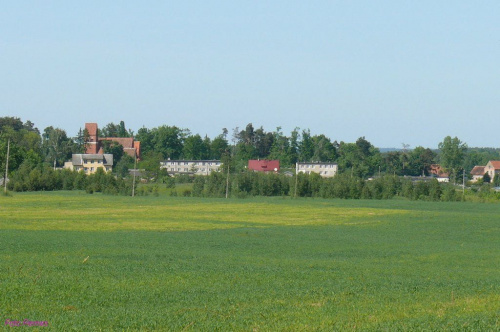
column 248, row 183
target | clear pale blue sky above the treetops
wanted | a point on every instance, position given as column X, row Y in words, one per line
column 392, row 71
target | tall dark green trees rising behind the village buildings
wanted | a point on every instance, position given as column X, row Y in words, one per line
column 31, row 149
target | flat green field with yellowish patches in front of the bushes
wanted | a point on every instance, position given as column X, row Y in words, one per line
column 91, row 262
